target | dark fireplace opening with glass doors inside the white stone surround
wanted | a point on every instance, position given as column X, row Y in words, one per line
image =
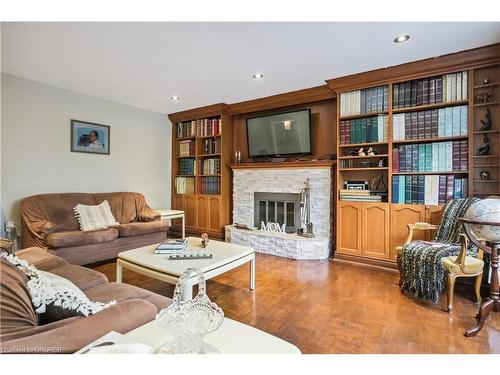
column 281, row 208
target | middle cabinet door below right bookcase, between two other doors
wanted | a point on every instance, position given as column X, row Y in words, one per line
column 375, row 229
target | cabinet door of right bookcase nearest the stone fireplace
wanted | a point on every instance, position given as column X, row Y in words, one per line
column 349, row 228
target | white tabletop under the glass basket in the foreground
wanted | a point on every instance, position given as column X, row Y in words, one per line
column 231, row 337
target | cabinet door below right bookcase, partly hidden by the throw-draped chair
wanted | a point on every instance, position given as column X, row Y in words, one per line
column 401, row 216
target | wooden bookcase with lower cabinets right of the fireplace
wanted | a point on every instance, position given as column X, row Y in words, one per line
column 370, row 232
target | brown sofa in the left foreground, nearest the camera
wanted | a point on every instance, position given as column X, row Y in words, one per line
column 20, row 331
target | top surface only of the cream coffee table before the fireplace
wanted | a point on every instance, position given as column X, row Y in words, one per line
column 222, row 253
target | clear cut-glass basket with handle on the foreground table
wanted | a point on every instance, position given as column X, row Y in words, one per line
column 189, row 321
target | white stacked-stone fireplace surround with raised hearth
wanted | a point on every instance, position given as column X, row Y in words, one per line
column 283, row 180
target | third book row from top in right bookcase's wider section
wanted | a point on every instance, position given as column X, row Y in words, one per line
column 431, row 157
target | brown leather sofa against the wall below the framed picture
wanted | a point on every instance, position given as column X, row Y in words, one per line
column 48, row 221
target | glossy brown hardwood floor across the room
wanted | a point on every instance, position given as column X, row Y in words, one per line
column 337, row 307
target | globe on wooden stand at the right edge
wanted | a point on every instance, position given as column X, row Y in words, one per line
column 485, row 210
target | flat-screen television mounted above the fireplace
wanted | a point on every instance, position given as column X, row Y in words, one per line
column 287, row 133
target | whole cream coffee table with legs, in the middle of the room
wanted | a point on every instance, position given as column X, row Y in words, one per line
column 226, row 256
